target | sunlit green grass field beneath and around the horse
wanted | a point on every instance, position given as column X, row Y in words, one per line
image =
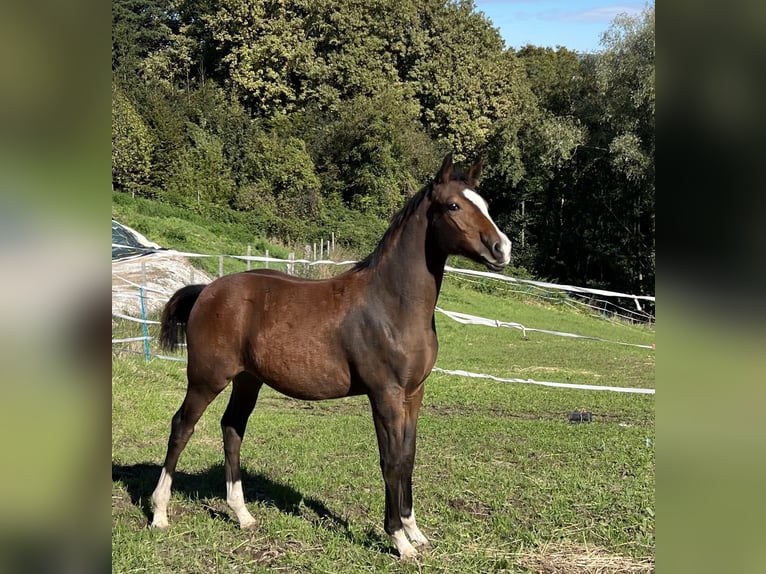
column 503, row 483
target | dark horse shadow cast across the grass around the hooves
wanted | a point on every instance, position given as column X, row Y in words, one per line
column 140, row 480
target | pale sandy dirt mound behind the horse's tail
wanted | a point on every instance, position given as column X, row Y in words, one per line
column 160, row 275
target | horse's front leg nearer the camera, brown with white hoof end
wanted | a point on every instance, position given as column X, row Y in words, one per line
column 388, row 413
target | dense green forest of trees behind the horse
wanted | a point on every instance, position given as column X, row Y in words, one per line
column 312, row 116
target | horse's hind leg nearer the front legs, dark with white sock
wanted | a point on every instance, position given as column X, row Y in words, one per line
column 244, row 395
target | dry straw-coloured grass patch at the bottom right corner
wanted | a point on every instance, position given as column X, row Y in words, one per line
column 571, row 558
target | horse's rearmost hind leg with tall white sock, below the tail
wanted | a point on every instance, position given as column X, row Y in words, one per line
column 197, row 399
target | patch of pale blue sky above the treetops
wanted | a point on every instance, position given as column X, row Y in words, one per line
column 574, row 24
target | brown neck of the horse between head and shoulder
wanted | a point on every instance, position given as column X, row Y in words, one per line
column 410, row 270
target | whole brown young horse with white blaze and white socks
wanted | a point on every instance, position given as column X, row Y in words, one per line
column 368, row 331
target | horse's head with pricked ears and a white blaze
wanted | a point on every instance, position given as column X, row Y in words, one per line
column 460, row 221
